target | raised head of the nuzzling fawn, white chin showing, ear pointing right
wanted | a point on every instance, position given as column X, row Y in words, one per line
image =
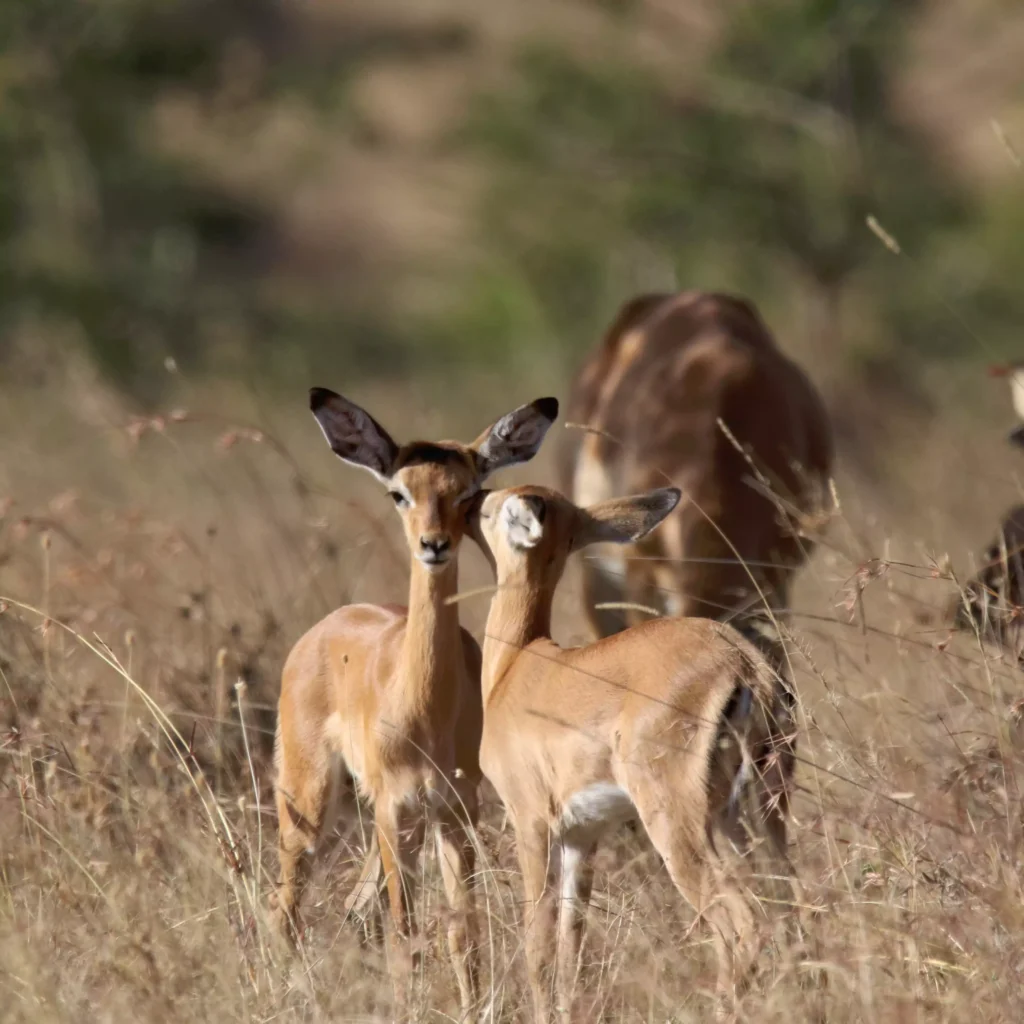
column 533, row 531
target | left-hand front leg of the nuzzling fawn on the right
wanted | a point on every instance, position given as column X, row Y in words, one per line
column 534, row 847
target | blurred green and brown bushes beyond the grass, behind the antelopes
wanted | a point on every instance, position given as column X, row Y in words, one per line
column 127, row 231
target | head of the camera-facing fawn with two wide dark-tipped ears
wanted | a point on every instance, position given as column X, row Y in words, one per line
column 432, row 484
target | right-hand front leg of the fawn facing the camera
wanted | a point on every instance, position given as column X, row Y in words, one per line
column 457, row 857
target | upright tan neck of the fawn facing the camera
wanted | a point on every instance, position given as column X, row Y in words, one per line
column 433, row 646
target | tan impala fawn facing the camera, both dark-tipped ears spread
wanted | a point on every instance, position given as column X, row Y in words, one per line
column 392, row 696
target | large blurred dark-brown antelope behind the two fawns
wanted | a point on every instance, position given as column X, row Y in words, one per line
column 670, row 368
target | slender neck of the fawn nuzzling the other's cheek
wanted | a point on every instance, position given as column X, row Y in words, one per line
column 521, row 614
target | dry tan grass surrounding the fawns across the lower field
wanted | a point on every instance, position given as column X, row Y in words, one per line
column 137, row 830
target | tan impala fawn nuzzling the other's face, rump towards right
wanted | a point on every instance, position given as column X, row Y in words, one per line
column 671, row 721
